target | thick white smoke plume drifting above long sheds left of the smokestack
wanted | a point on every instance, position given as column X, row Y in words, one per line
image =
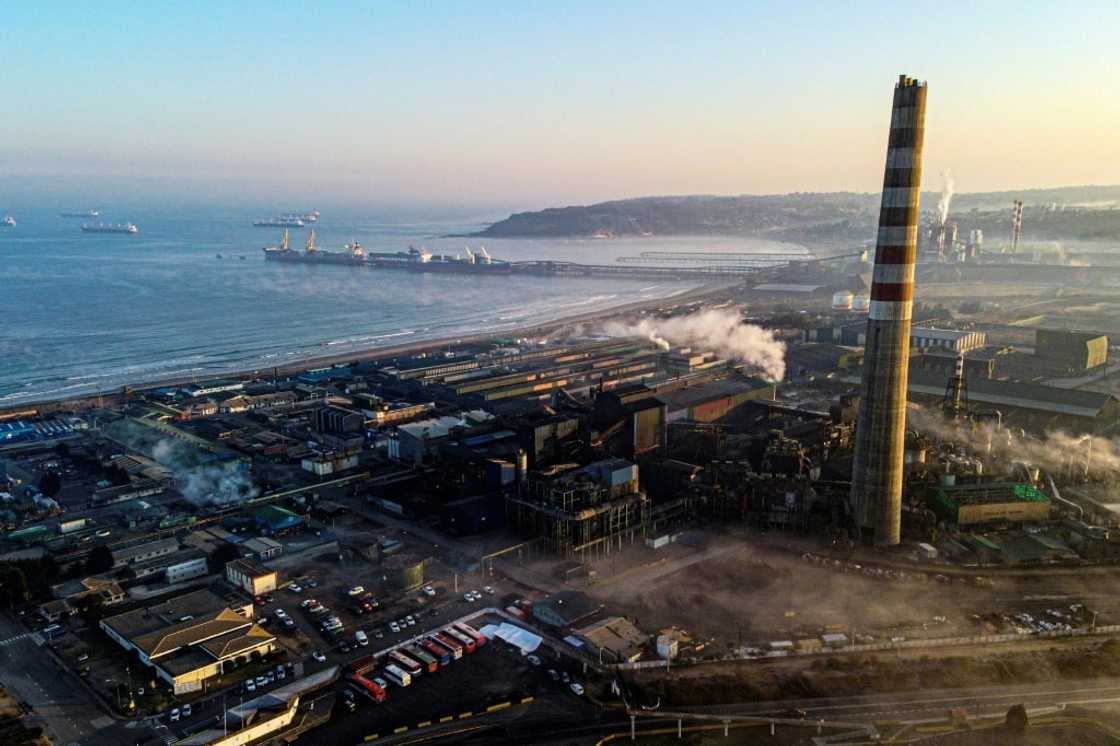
column 717, row 331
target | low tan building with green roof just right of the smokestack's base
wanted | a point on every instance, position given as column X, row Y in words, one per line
column 990, row 503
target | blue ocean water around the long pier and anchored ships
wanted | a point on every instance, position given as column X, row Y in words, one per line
column 85, row 313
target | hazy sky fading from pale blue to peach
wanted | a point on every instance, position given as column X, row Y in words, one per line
column 530, row 105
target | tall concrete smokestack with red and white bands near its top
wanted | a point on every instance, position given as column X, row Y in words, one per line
column 878, row 469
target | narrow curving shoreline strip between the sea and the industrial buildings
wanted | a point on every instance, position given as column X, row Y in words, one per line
column 88, row 400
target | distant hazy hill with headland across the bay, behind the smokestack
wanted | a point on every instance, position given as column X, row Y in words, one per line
column 798, row 217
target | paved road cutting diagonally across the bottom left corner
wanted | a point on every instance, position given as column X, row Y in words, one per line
column 66, row 708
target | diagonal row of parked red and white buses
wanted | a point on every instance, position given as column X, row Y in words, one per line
column 426, row 655
